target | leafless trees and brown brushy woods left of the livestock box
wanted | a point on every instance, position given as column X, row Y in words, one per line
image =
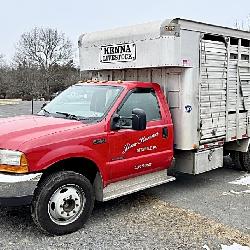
column 43, row 65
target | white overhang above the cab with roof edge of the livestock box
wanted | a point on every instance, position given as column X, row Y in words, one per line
column 172, row 42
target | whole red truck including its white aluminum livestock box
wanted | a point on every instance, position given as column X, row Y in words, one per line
column 114, row 135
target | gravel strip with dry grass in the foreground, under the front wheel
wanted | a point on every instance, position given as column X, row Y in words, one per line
column 137, row 221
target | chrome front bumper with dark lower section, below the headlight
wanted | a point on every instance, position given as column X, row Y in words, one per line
column 17, row 189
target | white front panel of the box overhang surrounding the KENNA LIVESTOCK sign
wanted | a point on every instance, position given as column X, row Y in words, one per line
column 144, row 58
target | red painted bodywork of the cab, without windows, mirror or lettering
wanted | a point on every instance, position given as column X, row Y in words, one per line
column 47, row 140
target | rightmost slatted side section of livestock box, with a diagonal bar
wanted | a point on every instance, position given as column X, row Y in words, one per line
column 238, row 90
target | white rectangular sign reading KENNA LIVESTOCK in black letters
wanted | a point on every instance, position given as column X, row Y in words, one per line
column 118, row 53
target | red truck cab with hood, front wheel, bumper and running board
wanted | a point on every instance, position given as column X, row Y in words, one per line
column 95, row 141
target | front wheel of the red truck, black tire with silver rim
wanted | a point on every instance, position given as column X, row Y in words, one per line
column 60, row 184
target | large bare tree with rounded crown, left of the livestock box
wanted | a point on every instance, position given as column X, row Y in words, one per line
column 39, row 54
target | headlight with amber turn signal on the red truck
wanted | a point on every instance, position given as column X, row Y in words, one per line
column 13, row 161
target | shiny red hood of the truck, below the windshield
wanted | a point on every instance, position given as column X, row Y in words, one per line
column 18, row 130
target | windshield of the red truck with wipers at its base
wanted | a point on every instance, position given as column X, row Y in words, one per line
column 83, row 102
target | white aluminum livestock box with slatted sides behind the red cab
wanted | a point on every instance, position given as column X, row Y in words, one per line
column 203, row 69
